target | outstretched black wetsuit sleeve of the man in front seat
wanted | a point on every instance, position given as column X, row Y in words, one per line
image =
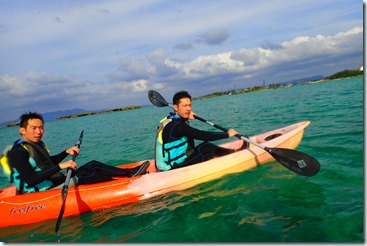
column 190, row 132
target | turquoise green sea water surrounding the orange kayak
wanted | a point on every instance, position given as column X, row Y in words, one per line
column 265, row 204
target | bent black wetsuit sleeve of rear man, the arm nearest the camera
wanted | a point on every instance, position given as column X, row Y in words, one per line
column 19, row 159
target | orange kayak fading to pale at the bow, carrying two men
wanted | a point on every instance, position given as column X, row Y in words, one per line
column 45, row 205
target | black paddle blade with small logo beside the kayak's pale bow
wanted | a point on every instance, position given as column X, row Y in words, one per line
column 296, row 161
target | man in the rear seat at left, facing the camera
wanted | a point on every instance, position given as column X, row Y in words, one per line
column 30, row 168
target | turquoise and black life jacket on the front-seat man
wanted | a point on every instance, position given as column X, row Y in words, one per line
column 172, row 153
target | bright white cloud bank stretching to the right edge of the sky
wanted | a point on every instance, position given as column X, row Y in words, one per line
column 300, row 48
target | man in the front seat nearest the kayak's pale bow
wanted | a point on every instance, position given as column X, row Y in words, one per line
column 175, row 145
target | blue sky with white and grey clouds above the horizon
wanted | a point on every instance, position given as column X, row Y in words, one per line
column 90, row 54
